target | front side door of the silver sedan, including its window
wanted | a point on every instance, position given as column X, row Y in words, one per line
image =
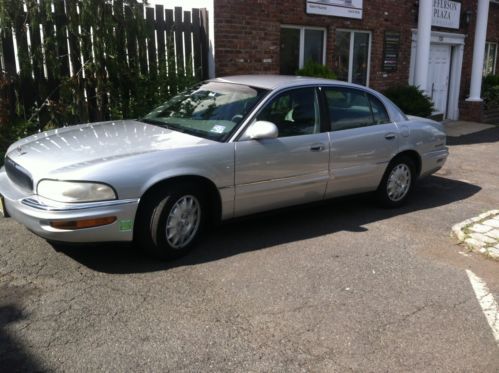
column 289, row 169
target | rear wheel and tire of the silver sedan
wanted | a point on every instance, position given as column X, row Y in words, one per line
column 397, row 183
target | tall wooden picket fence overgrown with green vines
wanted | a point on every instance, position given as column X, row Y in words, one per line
column 130, row 57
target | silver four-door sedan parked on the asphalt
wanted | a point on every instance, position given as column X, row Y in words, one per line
column 224, row 148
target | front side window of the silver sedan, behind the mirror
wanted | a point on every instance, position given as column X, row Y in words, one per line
column 294, row 112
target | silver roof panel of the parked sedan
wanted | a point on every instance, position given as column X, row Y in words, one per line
column 275, row 81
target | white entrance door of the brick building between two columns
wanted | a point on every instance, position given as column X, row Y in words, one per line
column 438, row 76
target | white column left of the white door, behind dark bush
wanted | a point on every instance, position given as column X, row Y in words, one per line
column 423, row 44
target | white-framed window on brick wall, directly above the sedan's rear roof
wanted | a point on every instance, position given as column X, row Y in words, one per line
column 352, row 56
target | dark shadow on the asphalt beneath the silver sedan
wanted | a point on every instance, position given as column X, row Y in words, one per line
column 278, row 227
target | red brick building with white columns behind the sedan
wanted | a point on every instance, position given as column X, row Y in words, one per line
column 370, row 42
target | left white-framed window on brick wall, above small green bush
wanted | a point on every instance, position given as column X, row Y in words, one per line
column 299, row 45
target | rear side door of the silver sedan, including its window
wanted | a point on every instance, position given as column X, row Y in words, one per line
column 363, row 140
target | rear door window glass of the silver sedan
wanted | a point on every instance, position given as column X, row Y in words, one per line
column 348, row 108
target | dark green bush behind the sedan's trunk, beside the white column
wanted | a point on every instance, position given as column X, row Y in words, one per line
column 411, row 100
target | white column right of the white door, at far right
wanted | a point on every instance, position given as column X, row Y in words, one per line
column 482, row 18
